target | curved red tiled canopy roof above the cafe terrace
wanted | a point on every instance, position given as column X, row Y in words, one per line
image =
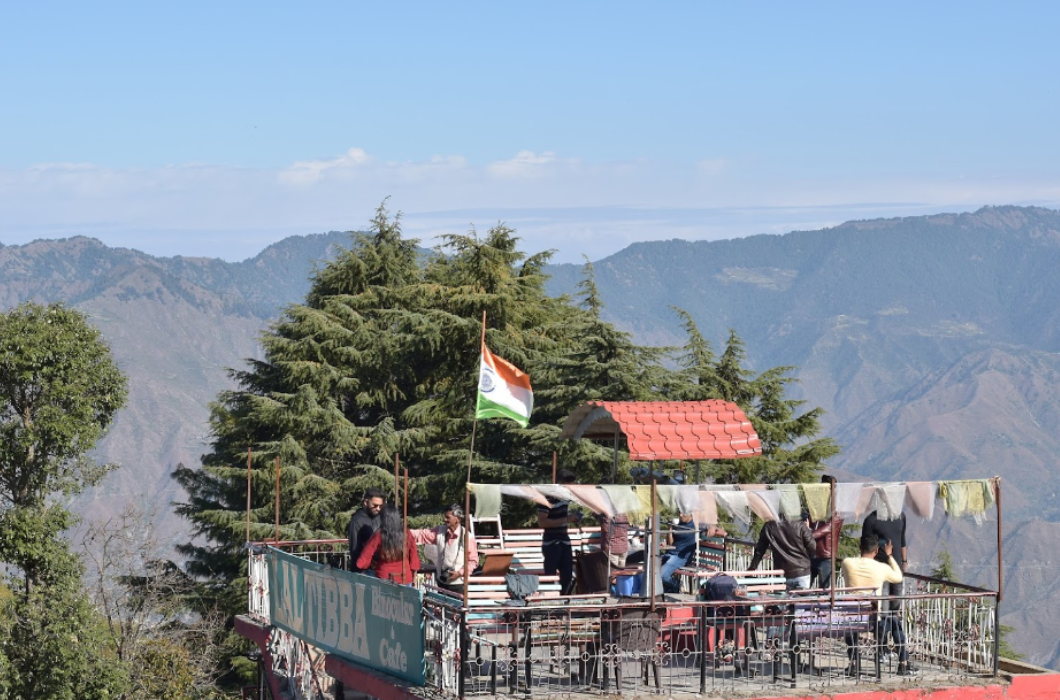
column 668, row 430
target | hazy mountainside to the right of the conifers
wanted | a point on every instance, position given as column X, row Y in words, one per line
column 931, row 342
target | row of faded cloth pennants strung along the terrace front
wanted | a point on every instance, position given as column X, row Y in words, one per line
column 770, row 502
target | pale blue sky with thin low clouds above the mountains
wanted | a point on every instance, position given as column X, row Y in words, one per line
column 216, row 129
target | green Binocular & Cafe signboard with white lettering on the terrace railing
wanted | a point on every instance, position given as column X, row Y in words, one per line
column 363, row 619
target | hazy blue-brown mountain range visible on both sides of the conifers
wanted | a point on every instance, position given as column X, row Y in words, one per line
column 933, row 343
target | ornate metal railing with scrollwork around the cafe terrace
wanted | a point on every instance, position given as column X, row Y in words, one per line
column 682, row 649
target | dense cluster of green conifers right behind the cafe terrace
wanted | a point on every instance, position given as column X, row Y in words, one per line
column 381, row 361
